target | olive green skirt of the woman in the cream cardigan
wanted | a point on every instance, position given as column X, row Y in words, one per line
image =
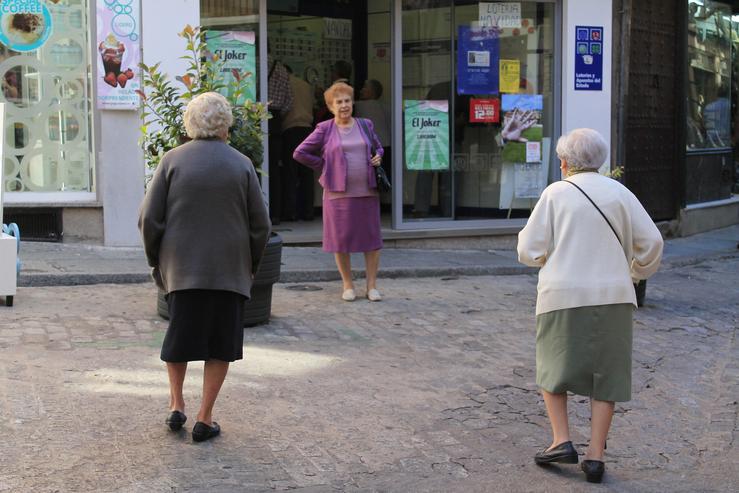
column 586, row 351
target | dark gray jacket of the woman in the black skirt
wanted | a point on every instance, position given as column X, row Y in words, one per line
column 204, row 221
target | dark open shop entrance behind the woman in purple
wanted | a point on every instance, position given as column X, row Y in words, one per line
column 319, row 42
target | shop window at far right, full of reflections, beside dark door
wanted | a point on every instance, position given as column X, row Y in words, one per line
column 709, row 75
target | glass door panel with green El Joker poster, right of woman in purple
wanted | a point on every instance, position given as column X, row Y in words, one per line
column 427, row 107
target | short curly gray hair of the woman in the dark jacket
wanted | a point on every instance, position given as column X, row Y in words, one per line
column 208, row 115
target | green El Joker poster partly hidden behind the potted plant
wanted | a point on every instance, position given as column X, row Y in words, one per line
column 237, row 52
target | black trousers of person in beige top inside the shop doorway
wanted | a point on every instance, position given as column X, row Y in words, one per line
column 297, row 180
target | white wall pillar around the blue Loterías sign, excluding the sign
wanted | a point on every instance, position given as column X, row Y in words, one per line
column 586, row 108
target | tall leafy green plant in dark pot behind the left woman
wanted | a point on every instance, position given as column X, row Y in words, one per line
column 164, row 101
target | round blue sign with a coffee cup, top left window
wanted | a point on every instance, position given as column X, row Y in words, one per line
column 25, row 25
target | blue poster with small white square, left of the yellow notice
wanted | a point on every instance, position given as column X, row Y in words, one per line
column 478, row 58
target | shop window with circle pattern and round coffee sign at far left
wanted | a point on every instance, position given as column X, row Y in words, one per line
column 44, row 64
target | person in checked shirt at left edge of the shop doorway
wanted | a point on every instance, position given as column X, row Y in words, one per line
column 280, row 102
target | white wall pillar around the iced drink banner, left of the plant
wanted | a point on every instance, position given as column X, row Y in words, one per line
column 122, row 163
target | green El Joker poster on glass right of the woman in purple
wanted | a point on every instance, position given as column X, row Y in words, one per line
column 426, row 135
